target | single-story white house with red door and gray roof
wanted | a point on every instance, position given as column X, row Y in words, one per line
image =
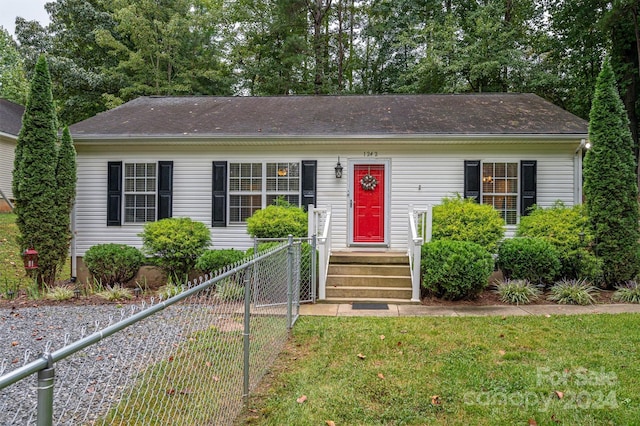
column 219, row 159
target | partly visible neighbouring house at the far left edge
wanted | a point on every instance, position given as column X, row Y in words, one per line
column 10, row 125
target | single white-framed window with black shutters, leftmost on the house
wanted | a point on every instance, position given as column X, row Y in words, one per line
column 140, row 192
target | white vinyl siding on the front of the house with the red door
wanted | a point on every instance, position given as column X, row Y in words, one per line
column 421, row 174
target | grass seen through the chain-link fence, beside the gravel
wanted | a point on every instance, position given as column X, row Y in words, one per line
column 201, row 382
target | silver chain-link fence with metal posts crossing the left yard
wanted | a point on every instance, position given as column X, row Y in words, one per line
column 191, row 359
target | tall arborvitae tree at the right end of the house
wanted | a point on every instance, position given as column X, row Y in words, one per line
column 610, row 184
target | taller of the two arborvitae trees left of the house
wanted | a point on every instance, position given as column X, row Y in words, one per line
column 35, row 175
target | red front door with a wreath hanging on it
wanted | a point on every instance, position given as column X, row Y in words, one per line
column 368, row 203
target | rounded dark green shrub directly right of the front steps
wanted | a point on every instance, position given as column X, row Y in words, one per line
column 455, row 270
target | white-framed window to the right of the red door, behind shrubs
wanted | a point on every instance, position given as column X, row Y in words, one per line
column 500, row 189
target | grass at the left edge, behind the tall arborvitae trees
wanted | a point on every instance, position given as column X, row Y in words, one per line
column 12, row 273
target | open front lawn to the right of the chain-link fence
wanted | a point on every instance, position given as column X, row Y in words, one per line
column 455, row 371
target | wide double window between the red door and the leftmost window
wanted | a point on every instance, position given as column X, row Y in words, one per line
column 253, row 186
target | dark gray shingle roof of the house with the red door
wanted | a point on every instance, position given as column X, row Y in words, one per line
column 334, row 116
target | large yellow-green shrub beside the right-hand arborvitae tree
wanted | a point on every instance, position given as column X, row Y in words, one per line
column 567, row 229
